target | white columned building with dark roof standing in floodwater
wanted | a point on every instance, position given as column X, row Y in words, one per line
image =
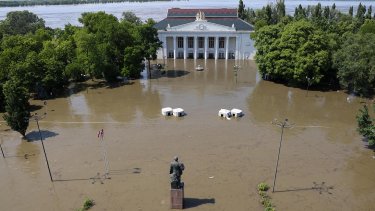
column 205, row 34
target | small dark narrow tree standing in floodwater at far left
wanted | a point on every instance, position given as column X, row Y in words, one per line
column 16, row 106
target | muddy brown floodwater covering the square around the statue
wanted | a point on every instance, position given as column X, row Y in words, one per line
column 224, row 159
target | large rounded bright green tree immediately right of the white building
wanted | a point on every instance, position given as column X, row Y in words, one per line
column 292, row 53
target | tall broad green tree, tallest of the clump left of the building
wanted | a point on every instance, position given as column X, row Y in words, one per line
column 109, row 39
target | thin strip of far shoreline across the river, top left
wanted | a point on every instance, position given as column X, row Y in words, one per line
column 67, row 2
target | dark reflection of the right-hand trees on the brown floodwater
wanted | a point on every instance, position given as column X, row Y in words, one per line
column 270, row 100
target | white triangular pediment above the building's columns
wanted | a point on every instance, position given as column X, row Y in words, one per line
column 201, row 25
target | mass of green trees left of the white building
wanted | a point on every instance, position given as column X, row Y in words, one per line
column 39, row 61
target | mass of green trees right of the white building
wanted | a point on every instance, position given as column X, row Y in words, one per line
column 318, row 46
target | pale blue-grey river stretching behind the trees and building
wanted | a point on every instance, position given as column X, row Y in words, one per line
column 57, row 16
